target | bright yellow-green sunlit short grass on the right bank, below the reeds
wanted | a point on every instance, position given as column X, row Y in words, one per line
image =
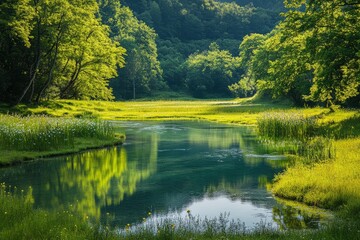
column 330, row 184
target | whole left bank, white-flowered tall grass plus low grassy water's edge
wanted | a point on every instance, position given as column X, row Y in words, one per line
column 36, row 136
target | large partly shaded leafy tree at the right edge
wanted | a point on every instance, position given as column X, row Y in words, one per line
column 331, row 32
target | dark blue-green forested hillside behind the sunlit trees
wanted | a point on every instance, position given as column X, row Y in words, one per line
column 188, row 27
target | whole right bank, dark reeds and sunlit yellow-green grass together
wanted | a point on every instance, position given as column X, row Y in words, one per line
column 326, row 172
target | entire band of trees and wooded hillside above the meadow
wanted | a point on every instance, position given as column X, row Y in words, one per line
column 304, row 50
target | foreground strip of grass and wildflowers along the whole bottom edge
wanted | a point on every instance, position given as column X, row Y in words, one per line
column 19, row 220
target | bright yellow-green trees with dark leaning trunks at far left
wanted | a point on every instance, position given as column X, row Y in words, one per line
column 56, row 49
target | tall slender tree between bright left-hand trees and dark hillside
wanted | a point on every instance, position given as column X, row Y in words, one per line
column 142, row 72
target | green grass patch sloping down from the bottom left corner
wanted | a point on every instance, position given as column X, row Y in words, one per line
column 19, row 220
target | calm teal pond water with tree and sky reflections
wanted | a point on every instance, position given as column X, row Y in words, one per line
column 166, row 169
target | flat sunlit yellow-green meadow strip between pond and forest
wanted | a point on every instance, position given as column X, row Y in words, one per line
column 235, row 111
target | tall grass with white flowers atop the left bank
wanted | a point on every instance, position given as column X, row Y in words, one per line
column 41, row 133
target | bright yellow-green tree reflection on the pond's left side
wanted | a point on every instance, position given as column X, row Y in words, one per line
column 103, row 177
